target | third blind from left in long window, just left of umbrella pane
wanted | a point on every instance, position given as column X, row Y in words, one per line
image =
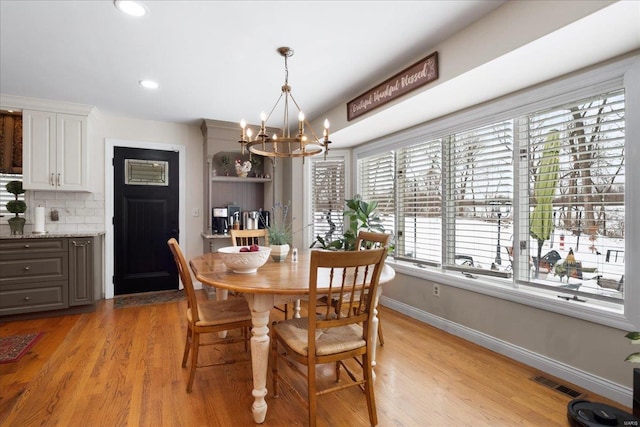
column 480, row 197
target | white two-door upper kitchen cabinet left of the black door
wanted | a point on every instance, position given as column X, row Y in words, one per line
column 55, row 151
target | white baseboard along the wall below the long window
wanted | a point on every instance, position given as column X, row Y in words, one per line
column 586, row 380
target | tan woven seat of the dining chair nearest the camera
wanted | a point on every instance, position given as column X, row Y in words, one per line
column 328, row 341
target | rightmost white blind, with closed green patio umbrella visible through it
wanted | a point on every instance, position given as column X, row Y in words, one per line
column 586, row 206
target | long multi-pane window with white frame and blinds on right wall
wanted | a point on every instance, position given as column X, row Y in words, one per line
column 524, row 198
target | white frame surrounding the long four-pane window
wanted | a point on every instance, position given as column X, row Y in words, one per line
column 622, row 73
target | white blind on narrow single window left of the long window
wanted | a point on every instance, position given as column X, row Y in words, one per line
column 328, row 197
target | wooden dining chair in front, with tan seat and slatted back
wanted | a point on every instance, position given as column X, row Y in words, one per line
column 330, row 337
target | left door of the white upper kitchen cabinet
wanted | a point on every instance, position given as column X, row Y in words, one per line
column 38, row 150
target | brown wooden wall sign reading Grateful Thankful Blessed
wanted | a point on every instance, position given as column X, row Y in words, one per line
column 417, row 75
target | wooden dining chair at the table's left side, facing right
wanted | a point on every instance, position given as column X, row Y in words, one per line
column 208, row 317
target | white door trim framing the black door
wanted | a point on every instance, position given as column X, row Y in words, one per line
column 109, row 150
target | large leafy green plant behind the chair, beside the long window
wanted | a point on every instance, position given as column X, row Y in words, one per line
column 361, row 215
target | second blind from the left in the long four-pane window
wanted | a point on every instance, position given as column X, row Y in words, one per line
column 419, row 189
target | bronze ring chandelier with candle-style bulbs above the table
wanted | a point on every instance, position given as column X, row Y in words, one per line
column 286, row 144
